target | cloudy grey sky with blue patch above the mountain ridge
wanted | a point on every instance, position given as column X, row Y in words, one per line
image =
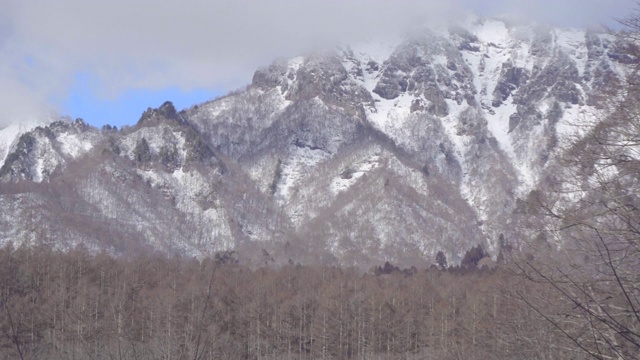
column 106, row 61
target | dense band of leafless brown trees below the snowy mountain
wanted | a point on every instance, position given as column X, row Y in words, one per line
column 78, row 305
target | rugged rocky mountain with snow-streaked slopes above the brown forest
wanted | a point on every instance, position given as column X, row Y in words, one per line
column 385, row 150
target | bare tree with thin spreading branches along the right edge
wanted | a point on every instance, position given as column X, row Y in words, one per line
column 588, row 257
